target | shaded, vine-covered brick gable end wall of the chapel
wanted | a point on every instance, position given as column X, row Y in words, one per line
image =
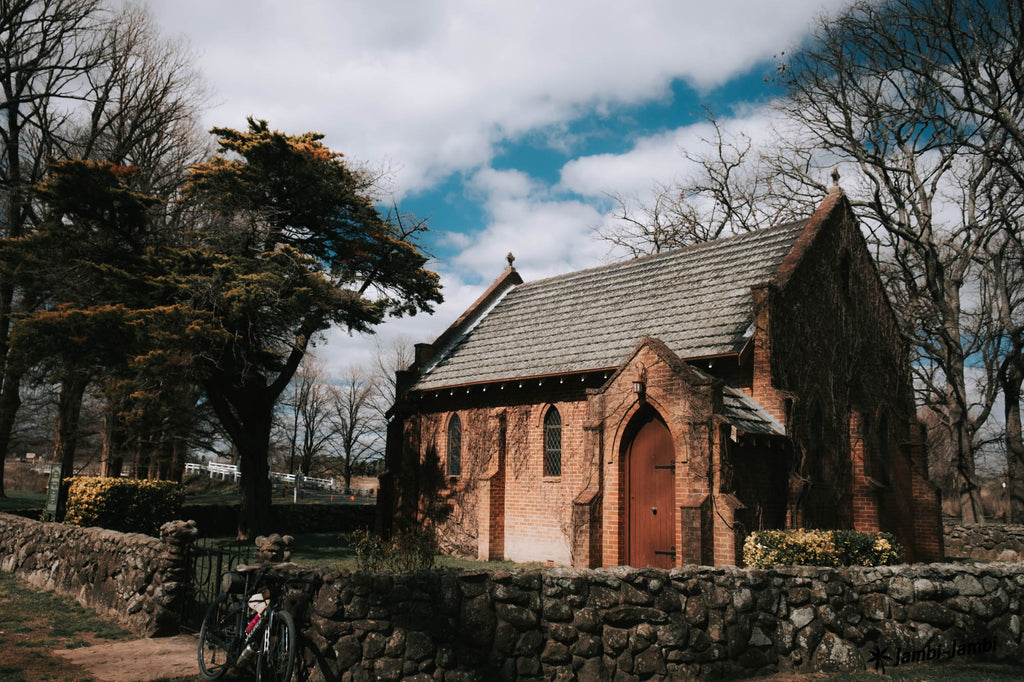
column 831, row 307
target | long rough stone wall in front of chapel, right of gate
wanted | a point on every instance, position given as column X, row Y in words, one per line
column 621, row 624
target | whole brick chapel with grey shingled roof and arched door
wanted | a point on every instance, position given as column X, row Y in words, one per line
column 654, row 412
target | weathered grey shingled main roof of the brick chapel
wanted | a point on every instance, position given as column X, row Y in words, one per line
column 697, row 301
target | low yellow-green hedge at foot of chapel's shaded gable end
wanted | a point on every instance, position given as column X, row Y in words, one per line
column 763, row 549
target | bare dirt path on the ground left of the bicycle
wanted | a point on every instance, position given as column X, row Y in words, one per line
column 138, row 661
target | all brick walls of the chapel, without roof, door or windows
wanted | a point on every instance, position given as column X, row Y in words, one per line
column 826, row 359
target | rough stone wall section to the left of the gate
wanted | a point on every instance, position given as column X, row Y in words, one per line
column 137, row 579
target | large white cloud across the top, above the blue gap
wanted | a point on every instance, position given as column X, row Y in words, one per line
column 432, row 88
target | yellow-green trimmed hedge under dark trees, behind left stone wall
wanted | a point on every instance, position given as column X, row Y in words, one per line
column 122, row 504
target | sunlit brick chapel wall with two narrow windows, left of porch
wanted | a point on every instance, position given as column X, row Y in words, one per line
column 503, row 506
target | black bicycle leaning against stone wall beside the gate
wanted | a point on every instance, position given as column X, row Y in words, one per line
column 247, row 624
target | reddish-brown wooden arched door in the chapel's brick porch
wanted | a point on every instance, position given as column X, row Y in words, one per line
column 651, row 489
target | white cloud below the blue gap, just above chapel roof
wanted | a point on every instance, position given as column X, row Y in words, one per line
column 548, row 233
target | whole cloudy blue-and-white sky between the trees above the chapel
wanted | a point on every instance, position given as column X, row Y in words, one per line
column 506, row 123
